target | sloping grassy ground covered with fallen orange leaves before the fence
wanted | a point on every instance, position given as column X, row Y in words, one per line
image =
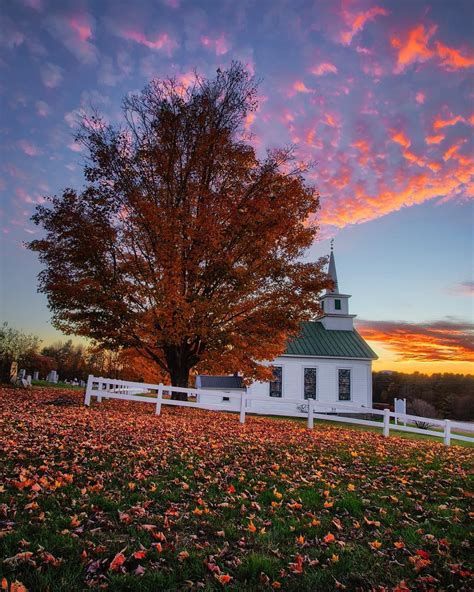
column 115, row 497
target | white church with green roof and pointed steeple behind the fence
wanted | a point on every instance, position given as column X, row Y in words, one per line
column 329, row 361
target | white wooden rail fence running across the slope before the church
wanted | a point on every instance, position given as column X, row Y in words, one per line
column 159, row 394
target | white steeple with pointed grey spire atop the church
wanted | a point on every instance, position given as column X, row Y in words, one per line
column 335, row 306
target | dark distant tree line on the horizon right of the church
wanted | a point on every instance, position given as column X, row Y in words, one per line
column 449, row 396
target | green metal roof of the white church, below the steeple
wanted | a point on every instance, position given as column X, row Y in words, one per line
column 315, row 340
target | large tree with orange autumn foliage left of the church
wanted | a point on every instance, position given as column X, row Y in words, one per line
column 183, row 246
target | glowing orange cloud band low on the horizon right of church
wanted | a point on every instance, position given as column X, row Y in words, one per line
column 427, row 342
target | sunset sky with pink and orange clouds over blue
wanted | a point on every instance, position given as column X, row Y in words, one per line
column 379, row 95
